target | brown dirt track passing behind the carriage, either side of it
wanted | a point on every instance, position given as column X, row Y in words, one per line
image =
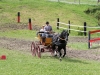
column 23, row 45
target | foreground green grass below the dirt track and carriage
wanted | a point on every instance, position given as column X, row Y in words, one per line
column 22, row 63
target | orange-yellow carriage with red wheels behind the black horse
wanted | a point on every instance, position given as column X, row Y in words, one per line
column 38, row 47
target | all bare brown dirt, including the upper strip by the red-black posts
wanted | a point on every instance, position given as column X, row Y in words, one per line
column 23, row 45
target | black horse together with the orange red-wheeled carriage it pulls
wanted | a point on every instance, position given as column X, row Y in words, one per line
column 57, row 42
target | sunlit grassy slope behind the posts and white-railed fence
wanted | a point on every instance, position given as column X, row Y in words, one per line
column 41, row 11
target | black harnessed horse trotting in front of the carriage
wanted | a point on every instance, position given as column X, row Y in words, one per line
column 59, row 42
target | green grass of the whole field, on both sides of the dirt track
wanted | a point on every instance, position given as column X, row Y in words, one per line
column 40, row 11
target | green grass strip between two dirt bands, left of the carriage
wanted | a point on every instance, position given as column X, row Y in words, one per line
column 21, row 34
